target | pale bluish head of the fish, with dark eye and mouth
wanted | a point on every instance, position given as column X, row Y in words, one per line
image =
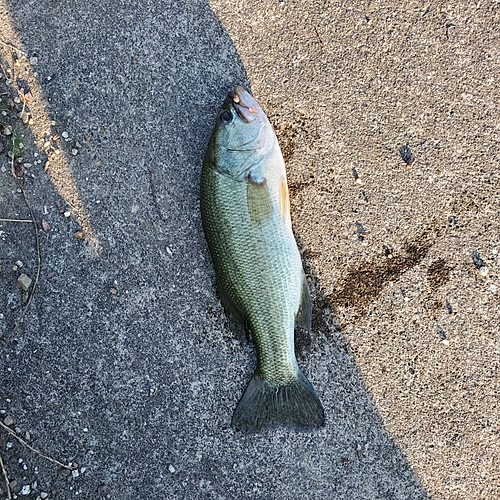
column 242, row 134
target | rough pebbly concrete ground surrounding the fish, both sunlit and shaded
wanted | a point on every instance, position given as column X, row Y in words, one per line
column 125, row 362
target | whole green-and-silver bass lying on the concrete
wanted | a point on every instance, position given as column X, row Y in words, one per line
column 245, row 212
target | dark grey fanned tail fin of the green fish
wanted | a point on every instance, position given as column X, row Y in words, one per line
column 266, row 405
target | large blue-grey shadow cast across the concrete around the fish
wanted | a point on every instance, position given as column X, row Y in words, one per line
column 125, row 364
